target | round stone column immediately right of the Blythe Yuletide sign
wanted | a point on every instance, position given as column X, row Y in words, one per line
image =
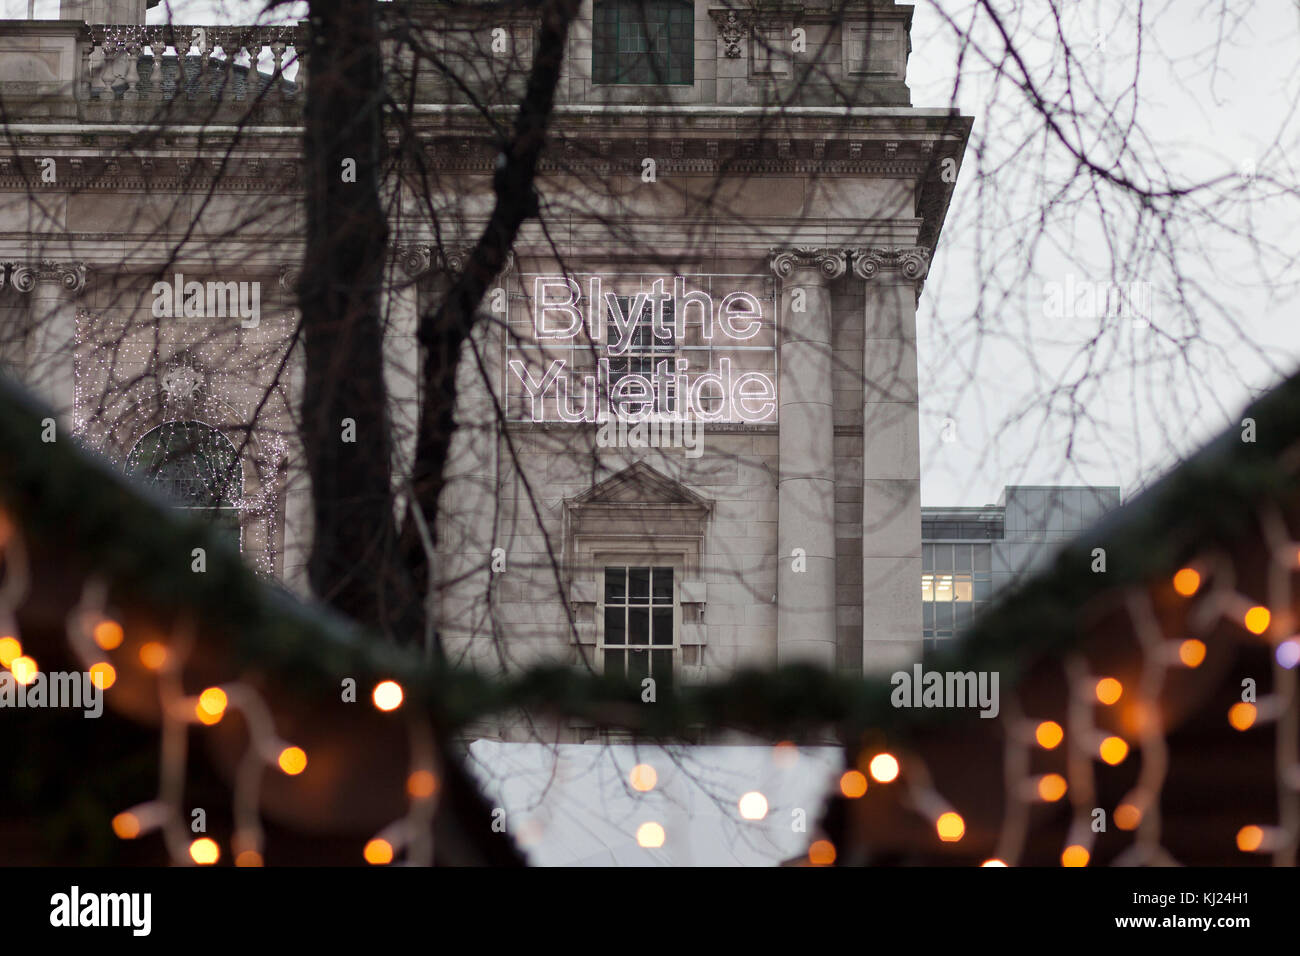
column 805, row 578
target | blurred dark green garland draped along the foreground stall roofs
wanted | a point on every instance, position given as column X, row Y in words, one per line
column 59, row 494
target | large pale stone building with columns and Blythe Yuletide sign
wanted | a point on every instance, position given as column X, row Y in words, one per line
column 690, row 419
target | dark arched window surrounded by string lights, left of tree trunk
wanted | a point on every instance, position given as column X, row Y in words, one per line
column 197, row 468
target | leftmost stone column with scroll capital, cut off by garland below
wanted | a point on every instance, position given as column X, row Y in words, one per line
column 51, row 341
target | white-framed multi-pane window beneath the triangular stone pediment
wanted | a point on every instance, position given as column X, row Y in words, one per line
column 639, row 638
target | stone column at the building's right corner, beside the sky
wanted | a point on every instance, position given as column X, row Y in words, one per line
column 891, row 458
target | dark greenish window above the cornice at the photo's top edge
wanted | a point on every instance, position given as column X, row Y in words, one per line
column 644, row 42
